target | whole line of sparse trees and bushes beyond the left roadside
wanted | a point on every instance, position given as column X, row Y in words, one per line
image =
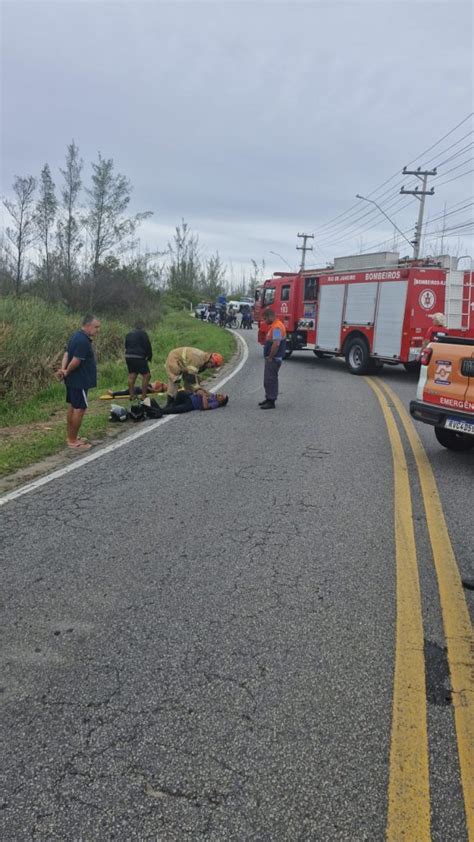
column 78, row 245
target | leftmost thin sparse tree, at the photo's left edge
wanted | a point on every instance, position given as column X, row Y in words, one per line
column 22, row 234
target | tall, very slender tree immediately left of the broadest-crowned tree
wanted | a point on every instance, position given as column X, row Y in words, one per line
column 69, row 235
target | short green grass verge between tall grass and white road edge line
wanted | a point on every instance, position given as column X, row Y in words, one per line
column 33, row 427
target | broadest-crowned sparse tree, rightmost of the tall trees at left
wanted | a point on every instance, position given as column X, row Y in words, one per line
column 105, row 222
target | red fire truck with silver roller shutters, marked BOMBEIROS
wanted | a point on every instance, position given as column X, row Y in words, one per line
column 371, row 309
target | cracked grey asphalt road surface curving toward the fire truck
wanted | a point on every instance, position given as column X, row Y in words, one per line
column 199, row 628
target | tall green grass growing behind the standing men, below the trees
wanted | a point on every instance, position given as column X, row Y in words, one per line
column 33, row 335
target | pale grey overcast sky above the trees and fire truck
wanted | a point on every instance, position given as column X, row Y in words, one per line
column 253, row 121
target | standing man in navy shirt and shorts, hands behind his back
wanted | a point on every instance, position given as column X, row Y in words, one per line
column 79, row 372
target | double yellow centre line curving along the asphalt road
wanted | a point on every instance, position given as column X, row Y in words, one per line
column 409, row 796
